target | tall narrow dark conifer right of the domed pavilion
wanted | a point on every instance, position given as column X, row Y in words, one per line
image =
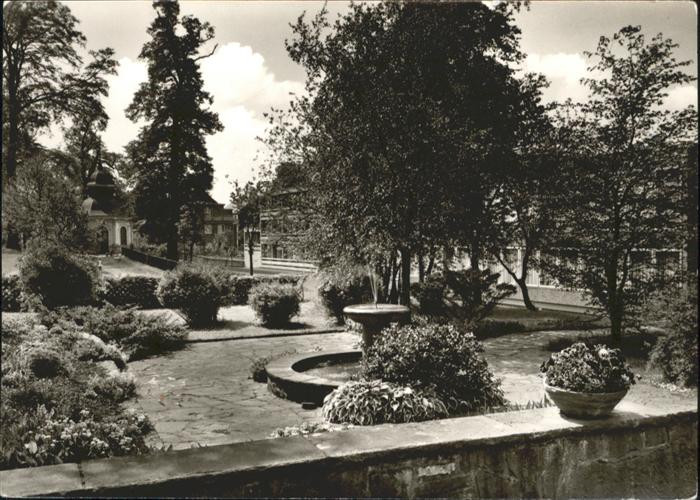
column 169, row 156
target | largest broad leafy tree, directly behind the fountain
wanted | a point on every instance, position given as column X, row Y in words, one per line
column 404, row 127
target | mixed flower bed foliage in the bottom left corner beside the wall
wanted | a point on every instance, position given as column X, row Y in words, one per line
column 57, row 407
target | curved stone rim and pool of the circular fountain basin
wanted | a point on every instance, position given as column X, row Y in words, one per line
column 310, row 377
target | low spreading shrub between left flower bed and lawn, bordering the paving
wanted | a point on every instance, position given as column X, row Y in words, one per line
column 137, row 335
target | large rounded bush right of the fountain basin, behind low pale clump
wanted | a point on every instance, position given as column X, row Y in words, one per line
column 433, row 357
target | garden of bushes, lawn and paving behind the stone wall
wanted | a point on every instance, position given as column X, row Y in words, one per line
column 96, row 365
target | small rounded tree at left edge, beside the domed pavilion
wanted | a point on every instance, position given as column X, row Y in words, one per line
column 45, row 205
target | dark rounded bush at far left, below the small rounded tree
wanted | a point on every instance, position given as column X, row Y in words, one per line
column 55, row 277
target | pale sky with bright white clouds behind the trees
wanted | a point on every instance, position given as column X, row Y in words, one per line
column 250, row 71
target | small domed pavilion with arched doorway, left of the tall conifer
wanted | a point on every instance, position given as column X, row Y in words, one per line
column 108, row 217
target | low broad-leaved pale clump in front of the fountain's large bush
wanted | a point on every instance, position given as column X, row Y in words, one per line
column 376, row 402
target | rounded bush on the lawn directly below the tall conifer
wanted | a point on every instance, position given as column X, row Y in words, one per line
column 194, row 292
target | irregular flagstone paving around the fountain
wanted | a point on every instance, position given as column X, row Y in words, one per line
column 202, row 395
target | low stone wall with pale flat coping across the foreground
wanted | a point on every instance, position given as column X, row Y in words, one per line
column 535, row 453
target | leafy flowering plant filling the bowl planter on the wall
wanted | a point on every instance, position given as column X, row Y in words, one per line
column 583, row 368
